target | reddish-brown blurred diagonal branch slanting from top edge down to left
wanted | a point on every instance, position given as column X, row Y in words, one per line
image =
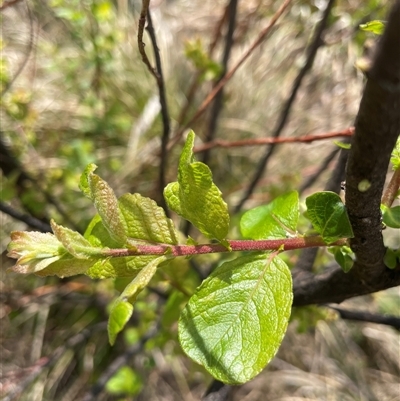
column 232, row 71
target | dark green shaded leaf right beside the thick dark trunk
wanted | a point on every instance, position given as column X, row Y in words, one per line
column 328, row 216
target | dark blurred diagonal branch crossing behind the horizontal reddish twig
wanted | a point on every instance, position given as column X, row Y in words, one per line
column 312, row 51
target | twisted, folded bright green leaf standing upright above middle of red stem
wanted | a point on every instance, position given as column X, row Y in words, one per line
column 196, row 198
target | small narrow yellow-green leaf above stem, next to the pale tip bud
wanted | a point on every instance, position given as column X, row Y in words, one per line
column 74, row 242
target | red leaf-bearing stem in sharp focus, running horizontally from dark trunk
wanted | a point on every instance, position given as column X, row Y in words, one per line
column 235, row 246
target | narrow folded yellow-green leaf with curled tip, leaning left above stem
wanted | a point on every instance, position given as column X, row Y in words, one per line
column 105, row 203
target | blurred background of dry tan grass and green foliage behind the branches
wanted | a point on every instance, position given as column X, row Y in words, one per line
column 75, row 91
